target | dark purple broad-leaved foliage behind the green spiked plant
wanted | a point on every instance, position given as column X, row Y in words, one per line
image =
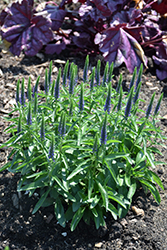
column 117, row 29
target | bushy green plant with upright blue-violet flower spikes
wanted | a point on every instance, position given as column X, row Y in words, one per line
column 83, row 146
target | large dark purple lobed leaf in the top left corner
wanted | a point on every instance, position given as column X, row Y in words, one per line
column 25, row 30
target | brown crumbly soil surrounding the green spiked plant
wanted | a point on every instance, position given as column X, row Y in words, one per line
column 19, row 229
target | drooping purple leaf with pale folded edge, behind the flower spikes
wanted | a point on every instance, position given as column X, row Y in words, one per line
column 118, row 46
